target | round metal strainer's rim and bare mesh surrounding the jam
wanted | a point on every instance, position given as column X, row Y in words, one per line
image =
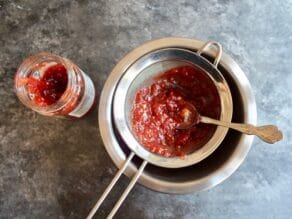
column 141, row 73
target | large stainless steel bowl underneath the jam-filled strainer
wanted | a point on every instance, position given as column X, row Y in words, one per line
column 212, row 170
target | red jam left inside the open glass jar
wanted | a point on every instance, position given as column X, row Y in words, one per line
column 49, row 88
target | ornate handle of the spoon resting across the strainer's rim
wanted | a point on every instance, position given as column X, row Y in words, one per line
column 268, row 133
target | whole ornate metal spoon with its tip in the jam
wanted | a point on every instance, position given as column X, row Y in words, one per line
column 268, row 133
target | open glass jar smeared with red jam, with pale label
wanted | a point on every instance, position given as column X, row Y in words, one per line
column 54, row 86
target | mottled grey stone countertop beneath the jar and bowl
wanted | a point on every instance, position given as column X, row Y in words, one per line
column 54, row 168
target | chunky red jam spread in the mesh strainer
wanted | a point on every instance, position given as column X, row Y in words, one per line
column 157, row 111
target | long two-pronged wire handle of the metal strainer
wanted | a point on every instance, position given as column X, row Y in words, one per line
column 111, row 185
